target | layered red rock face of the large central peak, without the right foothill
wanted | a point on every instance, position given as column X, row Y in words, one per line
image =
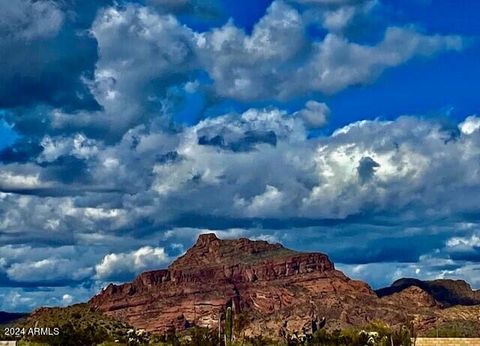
column 264, row 281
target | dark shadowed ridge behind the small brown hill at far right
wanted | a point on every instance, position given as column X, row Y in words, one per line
column 445, row 291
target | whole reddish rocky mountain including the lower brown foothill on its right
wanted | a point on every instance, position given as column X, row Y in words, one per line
column 266, row 285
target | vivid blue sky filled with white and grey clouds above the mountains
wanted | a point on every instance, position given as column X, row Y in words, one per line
column 350, row 127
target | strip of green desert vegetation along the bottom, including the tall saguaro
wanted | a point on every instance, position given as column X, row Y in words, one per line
column 83, row 326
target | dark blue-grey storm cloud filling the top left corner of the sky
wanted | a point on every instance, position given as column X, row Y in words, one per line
column 46, row 51
